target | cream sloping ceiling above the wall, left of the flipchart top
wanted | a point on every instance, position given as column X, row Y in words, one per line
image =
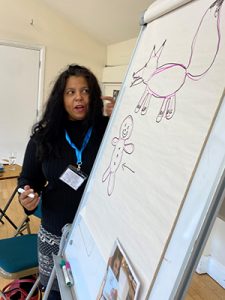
column 107, row 21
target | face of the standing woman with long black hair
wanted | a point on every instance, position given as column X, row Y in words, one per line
column 76, row 98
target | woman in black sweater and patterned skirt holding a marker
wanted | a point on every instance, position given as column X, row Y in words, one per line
column 69, row 133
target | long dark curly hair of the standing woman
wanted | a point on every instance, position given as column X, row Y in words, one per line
column 48, row 131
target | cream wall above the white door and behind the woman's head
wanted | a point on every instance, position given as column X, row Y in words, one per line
column 64, row 43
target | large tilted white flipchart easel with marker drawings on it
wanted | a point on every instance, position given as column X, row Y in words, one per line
column 167, row 191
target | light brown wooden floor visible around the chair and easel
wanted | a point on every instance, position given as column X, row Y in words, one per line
column 202, row 287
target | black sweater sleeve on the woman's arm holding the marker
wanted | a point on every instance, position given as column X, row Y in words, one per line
column 31, row 173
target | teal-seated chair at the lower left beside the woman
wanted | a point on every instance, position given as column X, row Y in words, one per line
column 19, row 258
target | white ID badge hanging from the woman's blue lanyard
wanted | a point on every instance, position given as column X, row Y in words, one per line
column 73, row 177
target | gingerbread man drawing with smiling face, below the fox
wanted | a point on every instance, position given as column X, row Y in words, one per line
column 121, row 145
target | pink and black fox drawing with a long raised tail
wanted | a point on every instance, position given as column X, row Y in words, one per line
column 151, row 74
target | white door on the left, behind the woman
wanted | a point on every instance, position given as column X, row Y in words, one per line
column 20, row 78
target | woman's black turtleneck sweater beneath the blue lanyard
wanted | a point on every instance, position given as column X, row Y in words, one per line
column 60, row 201
